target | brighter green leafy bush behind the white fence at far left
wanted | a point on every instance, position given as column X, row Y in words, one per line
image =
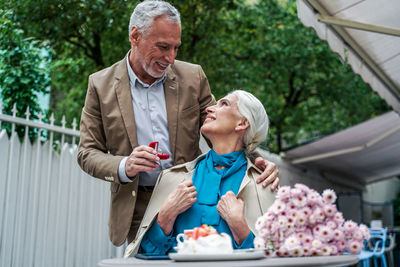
column 23, row 69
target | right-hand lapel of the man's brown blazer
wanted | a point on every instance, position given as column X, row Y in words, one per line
column 171, row 91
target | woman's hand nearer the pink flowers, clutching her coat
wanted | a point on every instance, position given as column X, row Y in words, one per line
column 231, row 210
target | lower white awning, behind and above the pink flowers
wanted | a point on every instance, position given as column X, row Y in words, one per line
column 367, row 152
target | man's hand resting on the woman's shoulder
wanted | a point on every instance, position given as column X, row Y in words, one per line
column 270, row 173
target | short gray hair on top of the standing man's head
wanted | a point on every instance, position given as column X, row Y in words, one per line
column 146, row 11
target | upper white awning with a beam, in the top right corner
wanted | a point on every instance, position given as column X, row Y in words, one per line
column 366, row 34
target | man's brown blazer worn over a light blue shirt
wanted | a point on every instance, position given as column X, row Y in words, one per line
column 108, row 129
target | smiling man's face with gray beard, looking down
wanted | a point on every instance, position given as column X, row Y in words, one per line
column 154, row 51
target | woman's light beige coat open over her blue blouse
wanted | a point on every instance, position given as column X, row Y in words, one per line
column 256, row 198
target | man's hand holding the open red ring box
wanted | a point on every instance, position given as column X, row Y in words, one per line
column 142, row 158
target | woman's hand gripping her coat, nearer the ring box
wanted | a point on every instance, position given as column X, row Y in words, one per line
column 176, row 203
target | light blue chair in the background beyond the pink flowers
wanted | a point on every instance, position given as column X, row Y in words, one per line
column 377, row 241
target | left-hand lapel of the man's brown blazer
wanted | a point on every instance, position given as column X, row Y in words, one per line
column 122, row 89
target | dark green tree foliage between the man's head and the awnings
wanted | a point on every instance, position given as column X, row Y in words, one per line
column 263, row 48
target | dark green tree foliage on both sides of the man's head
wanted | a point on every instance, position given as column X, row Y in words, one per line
column 263, row 48
